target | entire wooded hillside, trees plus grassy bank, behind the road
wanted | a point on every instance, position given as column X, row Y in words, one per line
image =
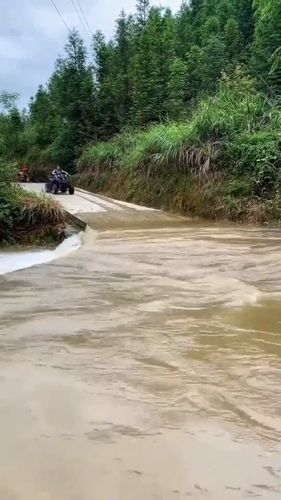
column 177, row 110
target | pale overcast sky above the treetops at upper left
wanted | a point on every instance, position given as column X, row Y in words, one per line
column 32, row 35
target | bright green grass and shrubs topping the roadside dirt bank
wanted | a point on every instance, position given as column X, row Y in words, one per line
column 234, row 133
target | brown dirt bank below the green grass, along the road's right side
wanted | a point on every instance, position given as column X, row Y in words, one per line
column 182, row 194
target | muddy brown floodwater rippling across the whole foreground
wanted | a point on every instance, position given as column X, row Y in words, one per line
column 147, row 365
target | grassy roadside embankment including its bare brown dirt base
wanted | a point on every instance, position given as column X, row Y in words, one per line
column 223, row 162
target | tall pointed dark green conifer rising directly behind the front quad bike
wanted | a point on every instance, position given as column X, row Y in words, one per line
column 71, row 90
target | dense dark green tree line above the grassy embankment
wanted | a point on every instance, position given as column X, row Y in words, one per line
column 155, row 68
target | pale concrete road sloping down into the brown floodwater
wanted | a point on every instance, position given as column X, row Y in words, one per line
column 104, row 213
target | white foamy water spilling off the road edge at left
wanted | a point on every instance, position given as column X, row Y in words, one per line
column 14, row 261
